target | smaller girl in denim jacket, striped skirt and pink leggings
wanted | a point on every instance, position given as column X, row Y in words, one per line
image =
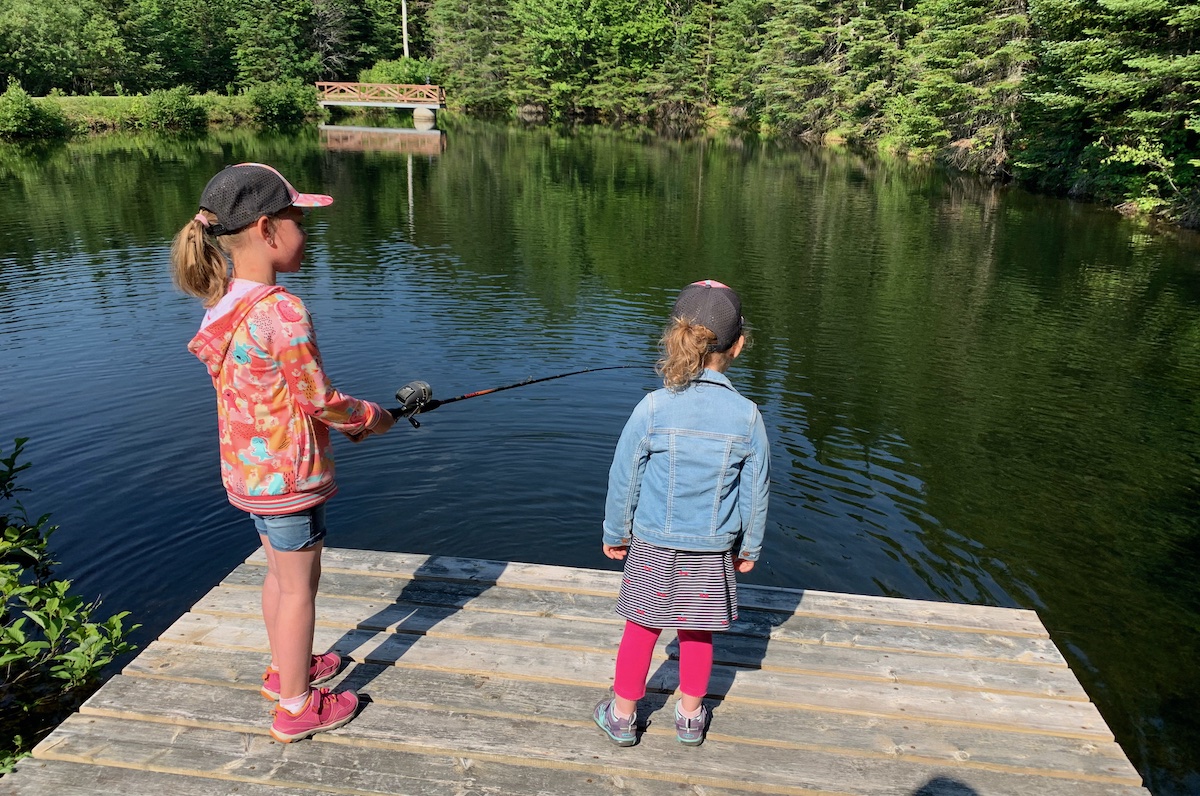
column 688, row 484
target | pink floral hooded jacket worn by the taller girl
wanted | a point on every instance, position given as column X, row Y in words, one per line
column 275, row 406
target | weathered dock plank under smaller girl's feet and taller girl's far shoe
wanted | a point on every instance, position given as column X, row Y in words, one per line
column 767, row 725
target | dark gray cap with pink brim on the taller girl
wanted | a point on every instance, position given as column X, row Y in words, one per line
column 241, row 195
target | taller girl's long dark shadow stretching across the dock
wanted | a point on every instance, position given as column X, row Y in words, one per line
column 439, row 590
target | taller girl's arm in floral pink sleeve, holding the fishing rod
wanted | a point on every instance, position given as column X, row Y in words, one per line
column 295, row 348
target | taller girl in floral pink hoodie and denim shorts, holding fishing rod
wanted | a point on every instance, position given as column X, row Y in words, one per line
column 275, row 409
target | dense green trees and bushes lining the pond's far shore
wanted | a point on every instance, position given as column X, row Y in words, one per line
column 1063, row 94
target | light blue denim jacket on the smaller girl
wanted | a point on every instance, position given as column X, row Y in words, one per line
column 692, row 471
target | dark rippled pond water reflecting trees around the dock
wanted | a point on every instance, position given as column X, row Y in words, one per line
column 973, row 396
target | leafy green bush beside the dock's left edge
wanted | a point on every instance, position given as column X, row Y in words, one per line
column 51, row 648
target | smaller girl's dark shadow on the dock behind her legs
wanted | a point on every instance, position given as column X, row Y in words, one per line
column 737, row 651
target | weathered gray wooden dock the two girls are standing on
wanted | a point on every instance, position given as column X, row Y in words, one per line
column 482, row 678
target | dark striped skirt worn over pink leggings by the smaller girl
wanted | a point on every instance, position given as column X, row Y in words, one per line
column 679, row 589
